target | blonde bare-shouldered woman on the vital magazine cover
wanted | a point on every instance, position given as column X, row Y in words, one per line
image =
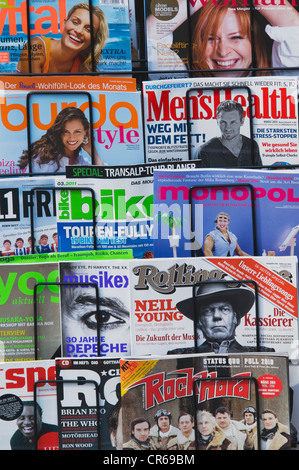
column 72, row 52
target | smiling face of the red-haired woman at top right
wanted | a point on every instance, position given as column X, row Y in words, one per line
column 229, row 48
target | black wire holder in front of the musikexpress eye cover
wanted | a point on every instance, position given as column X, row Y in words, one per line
column 65, row 284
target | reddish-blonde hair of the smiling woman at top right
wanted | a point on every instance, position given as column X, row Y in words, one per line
column 208, row 21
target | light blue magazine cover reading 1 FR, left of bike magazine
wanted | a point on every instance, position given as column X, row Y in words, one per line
column 28, row 216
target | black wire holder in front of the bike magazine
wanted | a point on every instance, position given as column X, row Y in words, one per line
column 54, row 189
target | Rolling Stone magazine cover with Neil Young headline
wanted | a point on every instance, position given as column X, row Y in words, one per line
column 213, row 304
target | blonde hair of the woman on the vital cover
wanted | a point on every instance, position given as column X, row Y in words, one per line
column 100, row 36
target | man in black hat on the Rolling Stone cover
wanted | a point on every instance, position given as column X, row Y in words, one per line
column 217, row 308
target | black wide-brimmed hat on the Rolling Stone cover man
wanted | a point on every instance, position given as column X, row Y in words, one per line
column 241, row 298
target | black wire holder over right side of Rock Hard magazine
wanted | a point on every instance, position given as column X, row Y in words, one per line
column 251, row 380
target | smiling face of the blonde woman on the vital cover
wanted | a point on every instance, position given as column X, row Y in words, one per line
column 77, row 30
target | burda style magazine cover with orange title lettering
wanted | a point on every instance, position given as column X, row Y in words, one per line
column 44, row 128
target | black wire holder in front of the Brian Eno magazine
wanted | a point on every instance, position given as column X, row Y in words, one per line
column 59, row 383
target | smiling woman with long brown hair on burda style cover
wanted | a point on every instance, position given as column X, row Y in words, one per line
column 66, row 142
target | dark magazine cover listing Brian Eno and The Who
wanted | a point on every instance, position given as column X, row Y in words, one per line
column 88, row 400
